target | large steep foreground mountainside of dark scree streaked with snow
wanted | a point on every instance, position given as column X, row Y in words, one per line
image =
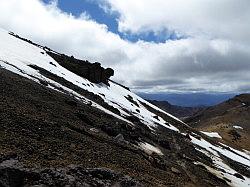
column 52, row 118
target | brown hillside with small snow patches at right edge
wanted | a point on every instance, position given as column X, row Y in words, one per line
column 230, row 119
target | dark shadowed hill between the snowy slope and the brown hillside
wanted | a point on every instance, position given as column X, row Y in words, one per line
column 178, row 111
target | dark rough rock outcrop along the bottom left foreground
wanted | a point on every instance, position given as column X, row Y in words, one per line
column 12, row 174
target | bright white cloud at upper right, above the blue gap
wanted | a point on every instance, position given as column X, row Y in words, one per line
column 227, row 19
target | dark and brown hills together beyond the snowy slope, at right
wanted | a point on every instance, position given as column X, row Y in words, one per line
column 230, row 119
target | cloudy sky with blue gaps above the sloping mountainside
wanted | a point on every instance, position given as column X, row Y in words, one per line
column 154, row 46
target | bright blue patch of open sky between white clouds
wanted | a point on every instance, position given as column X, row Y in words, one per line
column 77, row 7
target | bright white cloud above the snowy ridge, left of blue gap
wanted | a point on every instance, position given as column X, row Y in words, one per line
column 48, row 25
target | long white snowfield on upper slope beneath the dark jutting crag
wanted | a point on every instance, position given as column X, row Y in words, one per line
column 17, row 55
